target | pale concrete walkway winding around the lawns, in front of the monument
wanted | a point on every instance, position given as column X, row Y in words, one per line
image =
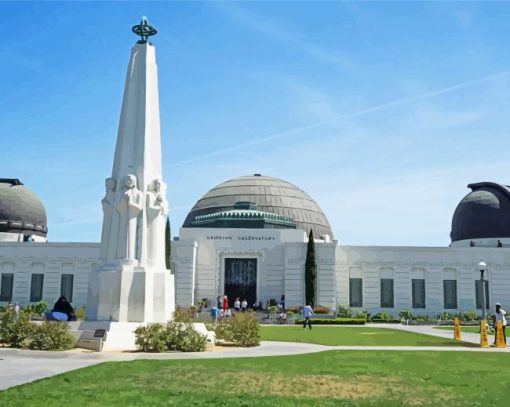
column 24, row 366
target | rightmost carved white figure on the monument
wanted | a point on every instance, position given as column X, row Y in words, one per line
column 157, row 211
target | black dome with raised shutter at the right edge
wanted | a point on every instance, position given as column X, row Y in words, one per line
column 483, row 213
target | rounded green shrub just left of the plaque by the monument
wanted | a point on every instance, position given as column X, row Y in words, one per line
column 50, row 336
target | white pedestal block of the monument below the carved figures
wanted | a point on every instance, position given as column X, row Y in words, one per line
column 130, row 294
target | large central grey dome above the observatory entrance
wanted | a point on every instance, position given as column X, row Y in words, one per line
column 270, row 195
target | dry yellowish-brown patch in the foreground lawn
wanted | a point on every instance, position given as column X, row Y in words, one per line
column 308, row 386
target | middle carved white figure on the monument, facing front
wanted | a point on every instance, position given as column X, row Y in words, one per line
column 129, row 207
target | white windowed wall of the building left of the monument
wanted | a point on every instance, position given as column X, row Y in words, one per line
column 52, row 260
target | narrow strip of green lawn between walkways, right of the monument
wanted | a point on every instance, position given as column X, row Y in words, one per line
column 359, row 336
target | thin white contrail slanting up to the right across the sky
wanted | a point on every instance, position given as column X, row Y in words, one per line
column 359, row 113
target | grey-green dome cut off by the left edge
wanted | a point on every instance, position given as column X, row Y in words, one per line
column 21, row 211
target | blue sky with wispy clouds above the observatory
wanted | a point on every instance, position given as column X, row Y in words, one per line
column 383, row 112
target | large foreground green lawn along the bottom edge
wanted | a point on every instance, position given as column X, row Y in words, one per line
column 346, row 378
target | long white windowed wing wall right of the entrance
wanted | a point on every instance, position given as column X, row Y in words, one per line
column 433, row 263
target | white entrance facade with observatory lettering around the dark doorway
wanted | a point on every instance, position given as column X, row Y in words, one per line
column 213, row 246
